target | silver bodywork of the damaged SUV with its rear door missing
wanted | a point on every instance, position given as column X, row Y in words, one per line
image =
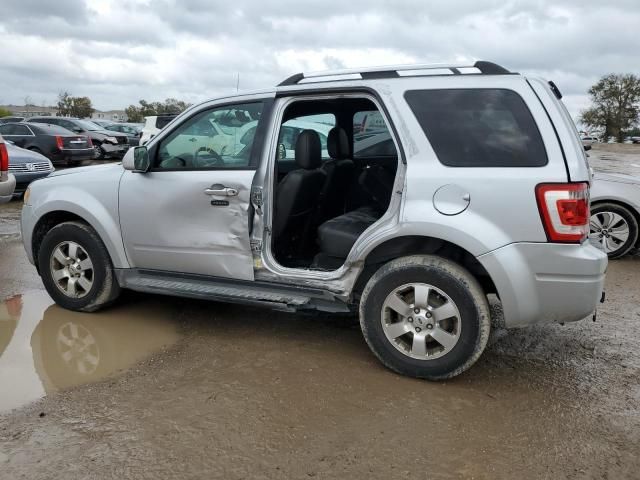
column 162, row 221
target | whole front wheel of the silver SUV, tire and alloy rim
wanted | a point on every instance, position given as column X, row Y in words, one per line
column 76, row 269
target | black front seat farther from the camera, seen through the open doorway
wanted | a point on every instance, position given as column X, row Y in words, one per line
column 340, row 172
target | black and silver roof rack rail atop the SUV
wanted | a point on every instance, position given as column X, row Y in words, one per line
column 482, row 67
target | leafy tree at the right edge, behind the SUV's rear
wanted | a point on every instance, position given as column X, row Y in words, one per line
column 615, row 105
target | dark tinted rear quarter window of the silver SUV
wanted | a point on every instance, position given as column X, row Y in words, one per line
column 478, row 127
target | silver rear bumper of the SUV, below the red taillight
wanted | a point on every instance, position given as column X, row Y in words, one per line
column 546, row 282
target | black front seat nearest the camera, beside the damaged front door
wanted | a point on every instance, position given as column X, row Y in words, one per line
column 297, row 197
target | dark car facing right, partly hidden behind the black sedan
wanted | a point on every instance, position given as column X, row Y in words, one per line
column 105, row 142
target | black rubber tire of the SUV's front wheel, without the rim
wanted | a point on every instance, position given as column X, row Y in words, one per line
column 105, row 288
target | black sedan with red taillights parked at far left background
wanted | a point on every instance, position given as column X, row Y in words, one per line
column 56, row 143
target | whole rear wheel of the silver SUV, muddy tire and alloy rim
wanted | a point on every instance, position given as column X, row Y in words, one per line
column 425, row 317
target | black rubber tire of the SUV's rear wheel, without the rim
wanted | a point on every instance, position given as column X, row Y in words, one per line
column 462, row 288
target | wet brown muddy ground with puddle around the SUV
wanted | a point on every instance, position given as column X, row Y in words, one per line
column 160, row 387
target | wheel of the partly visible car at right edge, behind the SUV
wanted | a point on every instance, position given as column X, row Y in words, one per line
column 613, row 228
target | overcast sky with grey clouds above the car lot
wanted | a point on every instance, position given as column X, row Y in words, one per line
column 119, row 51
